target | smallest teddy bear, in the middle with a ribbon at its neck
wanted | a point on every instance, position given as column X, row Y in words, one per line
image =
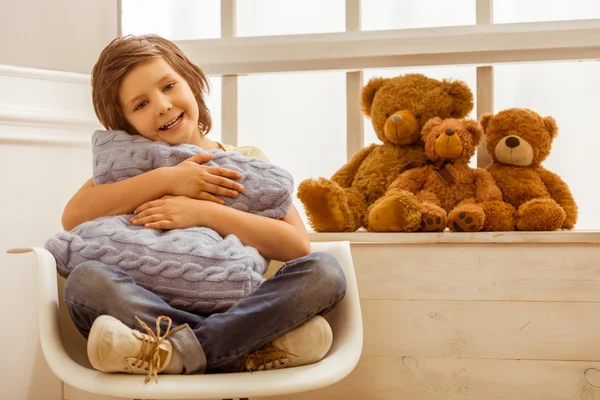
column 448, row 192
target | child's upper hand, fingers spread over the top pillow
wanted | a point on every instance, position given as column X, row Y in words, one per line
column 192, row 179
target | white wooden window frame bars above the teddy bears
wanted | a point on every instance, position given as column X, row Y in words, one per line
column 482, row 45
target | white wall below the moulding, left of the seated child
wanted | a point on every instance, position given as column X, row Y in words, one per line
column 46, row 120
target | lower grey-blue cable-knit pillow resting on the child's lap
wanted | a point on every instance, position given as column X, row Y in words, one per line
column 192, row 269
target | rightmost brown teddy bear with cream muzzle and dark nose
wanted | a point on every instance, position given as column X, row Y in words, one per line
column 519, row 140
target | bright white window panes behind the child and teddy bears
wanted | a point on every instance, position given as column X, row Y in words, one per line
column 298, row 119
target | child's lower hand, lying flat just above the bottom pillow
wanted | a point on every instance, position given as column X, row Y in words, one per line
column 171, row 212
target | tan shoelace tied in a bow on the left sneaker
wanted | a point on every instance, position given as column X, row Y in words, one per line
column 150, row 350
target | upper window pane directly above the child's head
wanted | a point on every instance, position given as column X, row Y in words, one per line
column 173, row 19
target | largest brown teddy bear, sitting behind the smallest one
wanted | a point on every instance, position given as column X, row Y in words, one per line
column 397, row 107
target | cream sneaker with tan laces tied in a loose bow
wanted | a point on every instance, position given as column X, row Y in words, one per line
column 114, row 347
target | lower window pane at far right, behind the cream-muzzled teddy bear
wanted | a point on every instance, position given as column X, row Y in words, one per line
column 569, row 93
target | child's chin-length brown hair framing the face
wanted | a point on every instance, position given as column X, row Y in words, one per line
column 120, row 57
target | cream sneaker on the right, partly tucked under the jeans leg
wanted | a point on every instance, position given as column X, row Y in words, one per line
column 304, row 345
